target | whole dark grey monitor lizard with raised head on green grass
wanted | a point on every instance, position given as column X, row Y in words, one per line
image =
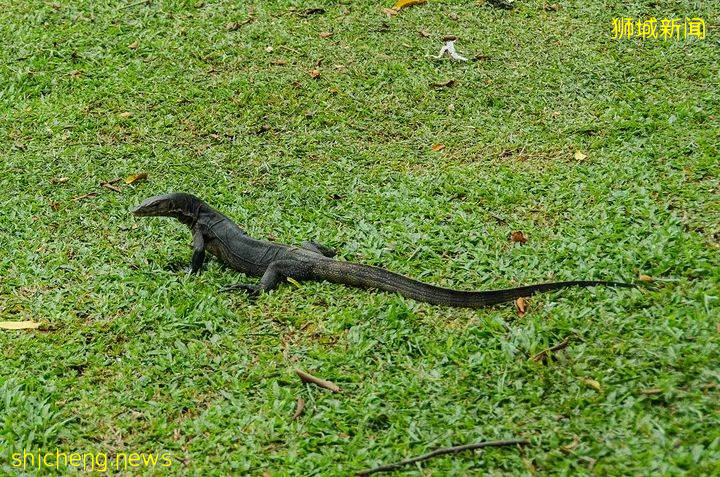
column 217, row 234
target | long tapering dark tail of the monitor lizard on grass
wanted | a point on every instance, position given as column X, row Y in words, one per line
column 365, row 276
